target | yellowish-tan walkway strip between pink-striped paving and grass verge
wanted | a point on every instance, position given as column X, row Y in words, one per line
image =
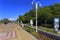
column 22, row 34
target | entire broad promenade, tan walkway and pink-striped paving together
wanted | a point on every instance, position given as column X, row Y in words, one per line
column 14, row 32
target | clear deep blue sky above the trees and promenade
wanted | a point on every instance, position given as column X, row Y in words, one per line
column 11, row 9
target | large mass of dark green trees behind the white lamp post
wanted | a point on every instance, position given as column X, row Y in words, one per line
column 46, row 15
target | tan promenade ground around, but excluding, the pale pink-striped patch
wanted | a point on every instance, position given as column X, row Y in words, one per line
column 19, row 32
